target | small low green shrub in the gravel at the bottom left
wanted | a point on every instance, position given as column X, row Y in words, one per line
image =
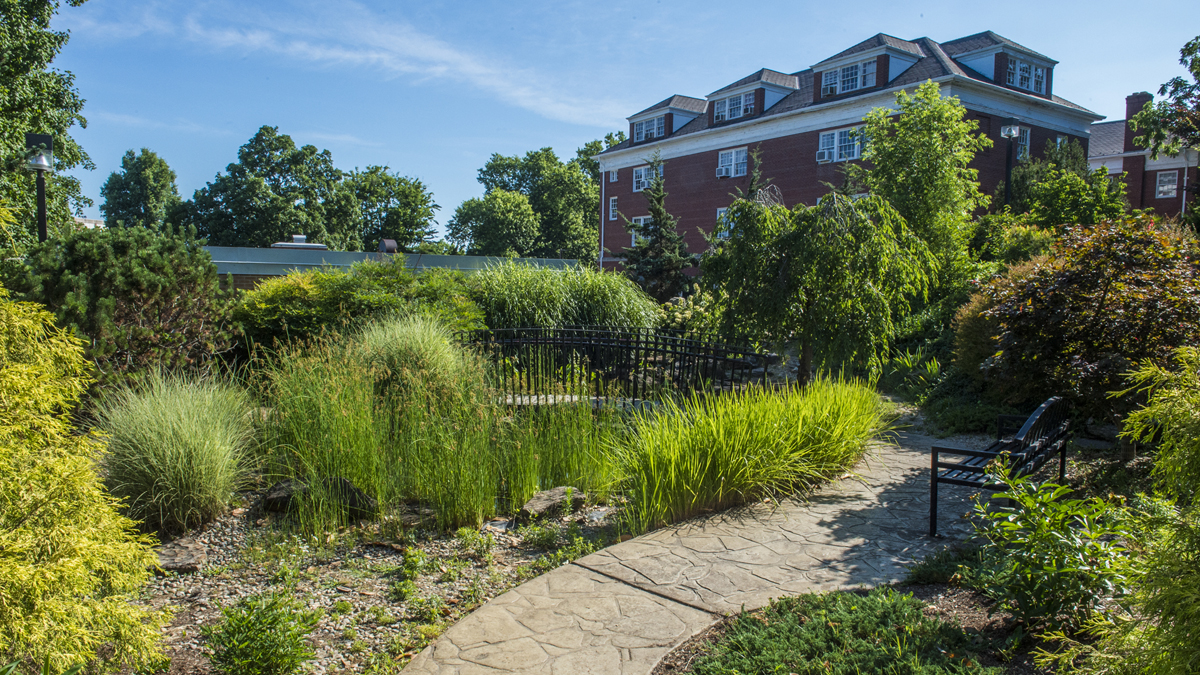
column 262, row 636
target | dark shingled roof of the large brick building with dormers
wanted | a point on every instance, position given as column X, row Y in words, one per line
column 934, row 61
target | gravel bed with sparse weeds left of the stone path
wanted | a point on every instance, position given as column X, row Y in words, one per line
column 353, row 578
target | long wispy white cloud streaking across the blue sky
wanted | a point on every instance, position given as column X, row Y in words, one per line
column 350, row 35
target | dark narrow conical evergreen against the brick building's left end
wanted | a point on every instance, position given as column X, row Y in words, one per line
column 658, row 258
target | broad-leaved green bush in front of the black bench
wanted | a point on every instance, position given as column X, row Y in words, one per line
column 1048, row 560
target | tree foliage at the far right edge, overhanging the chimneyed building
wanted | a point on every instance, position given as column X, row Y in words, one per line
column 1174, row 123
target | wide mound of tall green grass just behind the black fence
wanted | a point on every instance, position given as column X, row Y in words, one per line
column 515, row 296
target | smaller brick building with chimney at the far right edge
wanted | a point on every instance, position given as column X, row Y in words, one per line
column 1150, row 183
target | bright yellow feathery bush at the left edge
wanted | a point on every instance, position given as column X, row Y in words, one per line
column 71, row 564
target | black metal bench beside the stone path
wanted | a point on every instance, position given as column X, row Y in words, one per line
column 1036, row 441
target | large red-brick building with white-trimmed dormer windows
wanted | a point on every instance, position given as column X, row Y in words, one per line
column 802, row 124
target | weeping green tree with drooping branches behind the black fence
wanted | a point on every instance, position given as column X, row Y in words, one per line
column 833, row 277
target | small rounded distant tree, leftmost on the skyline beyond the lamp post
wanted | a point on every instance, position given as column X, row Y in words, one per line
column 142, row 194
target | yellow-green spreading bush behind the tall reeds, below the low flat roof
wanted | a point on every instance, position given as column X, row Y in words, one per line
column 303, row 306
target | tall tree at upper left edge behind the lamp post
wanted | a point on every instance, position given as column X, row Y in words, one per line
column 38, row 99
